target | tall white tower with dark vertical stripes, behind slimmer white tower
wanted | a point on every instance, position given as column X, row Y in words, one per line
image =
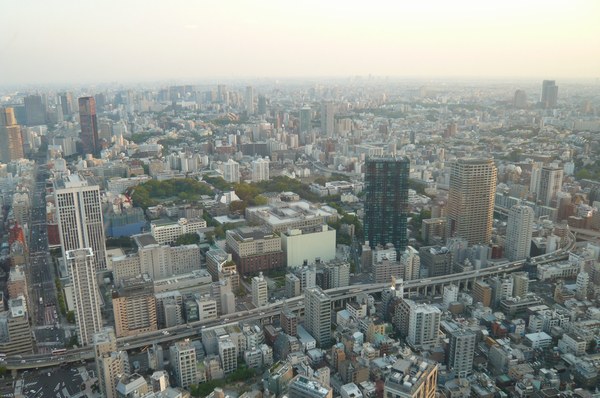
column 80, row 221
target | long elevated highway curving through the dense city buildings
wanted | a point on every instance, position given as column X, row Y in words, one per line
column 338, row 295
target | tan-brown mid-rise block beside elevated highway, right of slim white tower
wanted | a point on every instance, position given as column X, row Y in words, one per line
column 134, row 307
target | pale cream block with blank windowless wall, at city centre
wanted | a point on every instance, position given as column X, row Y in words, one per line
column 302, row 246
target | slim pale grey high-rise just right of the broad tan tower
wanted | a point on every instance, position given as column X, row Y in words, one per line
column 519, row 230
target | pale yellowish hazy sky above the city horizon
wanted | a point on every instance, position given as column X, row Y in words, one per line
column 88, row 41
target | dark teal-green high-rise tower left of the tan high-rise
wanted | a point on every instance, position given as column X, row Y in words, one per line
column 386, row 202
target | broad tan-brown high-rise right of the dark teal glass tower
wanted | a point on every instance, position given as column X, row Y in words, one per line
column 471, row 200
